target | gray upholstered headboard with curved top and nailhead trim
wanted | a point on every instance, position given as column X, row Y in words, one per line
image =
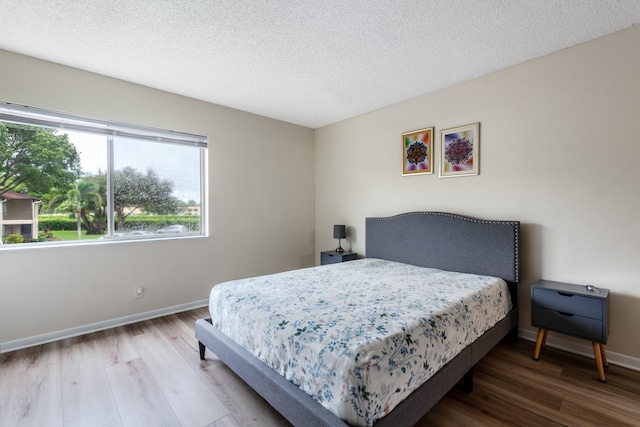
column 447, row 242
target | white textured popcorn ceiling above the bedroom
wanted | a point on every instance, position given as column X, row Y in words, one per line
column 309, row 62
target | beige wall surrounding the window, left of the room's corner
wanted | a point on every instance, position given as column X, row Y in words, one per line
column 260, row 219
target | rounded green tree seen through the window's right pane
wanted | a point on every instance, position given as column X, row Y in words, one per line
column 134, row 191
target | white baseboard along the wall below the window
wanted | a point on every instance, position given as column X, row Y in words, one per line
column 99, row 326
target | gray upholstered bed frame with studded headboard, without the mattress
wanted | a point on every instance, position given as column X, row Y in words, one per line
column 428, row 239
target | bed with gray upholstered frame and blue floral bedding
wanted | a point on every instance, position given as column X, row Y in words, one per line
column 412, row 245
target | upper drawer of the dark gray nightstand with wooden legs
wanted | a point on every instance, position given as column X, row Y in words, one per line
column 569, row 303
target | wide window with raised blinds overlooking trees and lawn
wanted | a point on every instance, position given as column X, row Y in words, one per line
column 66, row 178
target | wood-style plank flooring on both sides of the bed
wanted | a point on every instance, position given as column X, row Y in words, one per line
column 150, row 374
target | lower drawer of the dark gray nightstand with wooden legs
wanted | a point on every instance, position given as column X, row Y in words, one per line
column 578, row 326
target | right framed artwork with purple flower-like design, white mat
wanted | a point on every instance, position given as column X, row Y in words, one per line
column 460, row 150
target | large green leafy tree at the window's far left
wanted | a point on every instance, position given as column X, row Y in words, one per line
column 35, row 159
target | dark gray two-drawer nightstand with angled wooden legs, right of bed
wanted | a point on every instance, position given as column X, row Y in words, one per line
column 571, row 310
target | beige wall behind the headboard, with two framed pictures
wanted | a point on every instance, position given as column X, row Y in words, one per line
column 560, row 151
